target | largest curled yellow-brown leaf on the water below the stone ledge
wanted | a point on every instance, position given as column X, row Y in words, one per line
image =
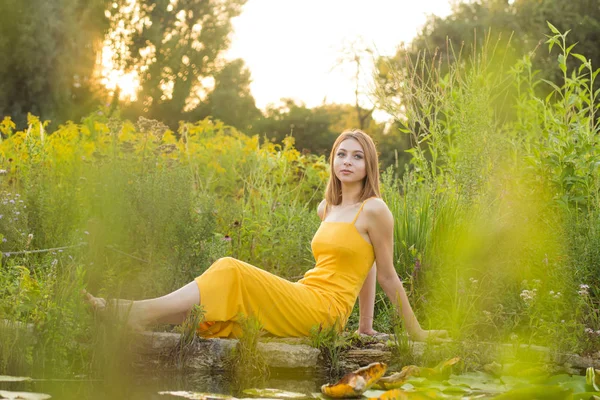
column 355, row 383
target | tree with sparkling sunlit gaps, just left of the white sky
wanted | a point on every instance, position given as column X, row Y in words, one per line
column 174, row 45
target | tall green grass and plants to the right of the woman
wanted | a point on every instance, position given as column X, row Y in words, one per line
column 489, row 194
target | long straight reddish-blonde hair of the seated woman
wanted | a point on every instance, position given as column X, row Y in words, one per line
column 333, row 192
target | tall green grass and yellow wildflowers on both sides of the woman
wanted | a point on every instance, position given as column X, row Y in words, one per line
column 496, row 218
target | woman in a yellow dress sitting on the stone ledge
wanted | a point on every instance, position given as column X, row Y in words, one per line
column 356, row 229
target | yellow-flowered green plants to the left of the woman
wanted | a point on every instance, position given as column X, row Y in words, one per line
column 148, row 210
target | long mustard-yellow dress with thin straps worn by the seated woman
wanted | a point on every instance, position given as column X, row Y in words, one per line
column 231, row 289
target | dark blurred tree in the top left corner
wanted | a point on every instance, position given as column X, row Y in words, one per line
column 49, row 50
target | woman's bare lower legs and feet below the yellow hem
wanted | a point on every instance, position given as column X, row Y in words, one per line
column 171, row 308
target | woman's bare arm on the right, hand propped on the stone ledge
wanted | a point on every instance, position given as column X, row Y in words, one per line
column 381, row 233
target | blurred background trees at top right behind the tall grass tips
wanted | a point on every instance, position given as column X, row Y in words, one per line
column 487, row 28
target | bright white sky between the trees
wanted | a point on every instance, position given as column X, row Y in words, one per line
column 293, row 47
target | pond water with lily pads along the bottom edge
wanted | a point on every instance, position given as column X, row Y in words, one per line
column 153, row 384
